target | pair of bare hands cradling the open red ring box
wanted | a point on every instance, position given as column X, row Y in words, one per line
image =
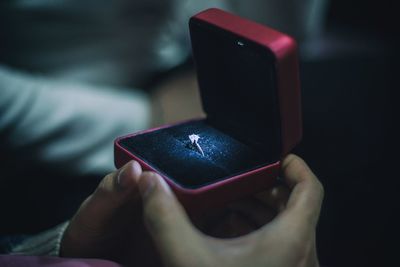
column 116, row 224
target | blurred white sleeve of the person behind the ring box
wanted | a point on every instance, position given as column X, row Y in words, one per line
column 69, row 126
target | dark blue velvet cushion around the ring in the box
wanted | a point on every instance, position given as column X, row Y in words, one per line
column 170, row 151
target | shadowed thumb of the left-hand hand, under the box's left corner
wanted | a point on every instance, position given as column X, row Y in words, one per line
column 102, row 213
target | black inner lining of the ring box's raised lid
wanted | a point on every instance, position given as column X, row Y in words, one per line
column 237, row 81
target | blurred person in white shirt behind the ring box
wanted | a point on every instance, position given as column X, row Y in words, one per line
column 76, row 74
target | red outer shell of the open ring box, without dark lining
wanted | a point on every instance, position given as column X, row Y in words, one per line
column 284, row 50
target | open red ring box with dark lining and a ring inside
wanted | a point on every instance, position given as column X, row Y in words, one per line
column 249, row 84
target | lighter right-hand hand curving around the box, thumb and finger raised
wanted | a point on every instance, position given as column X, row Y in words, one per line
column 288, row 240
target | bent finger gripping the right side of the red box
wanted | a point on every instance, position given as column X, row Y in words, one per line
column 305, row 199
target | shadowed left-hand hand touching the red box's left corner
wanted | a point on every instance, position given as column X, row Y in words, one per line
column 109, row 224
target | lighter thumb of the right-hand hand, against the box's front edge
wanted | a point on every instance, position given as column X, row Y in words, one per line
column 165, row 218
